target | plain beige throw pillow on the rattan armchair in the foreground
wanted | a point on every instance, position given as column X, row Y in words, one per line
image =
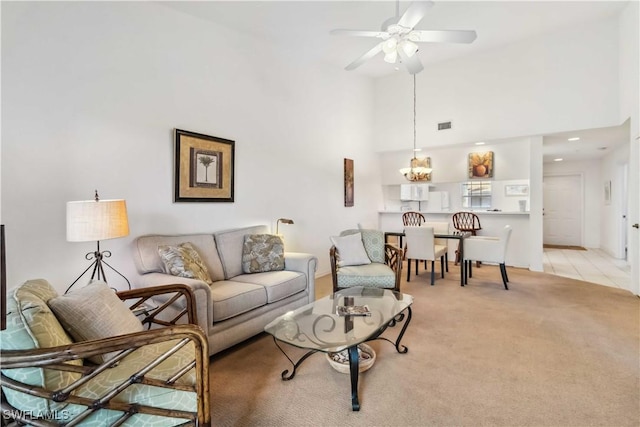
column 94, row 312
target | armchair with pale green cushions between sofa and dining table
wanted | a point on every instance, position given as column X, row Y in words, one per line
column 362, row 258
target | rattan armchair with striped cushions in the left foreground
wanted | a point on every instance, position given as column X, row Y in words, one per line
column 157, row 375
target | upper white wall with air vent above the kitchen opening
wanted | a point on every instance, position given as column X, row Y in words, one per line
column 533, row 87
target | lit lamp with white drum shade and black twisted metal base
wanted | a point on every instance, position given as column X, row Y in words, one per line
column 90, row 220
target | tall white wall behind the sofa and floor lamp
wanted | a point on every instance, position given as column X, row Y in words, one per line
column 95, row 91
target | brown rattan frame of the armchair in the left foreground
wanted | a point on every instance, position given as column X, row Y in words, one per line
column 162, row 328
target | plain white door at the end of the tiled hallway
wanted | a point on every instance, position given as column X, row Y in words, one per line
column 562, row 203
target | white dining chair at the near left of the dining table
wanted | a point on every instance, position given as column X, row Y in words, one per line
column 421, row 245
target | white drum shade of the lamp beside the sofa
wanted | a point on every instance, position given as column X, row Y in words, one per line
column 91, row 220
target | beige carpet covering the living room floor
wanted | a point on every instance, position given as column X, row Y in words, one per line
column 550, row 351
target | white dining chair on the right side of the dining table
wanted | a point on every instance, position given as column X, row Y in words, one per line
column 488, row 249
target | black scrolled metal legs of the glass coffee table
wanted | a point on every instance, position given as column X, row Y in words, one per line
column 353, row 355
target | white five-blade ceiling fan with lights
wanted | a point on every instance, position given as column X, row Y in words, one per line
column 399, row 38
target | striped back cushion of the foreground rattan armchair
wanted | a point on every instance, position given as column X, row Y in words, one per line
column 31, row 324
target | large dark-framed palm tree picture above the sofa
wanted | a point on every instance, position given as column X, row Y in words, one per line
column 203, row 168
